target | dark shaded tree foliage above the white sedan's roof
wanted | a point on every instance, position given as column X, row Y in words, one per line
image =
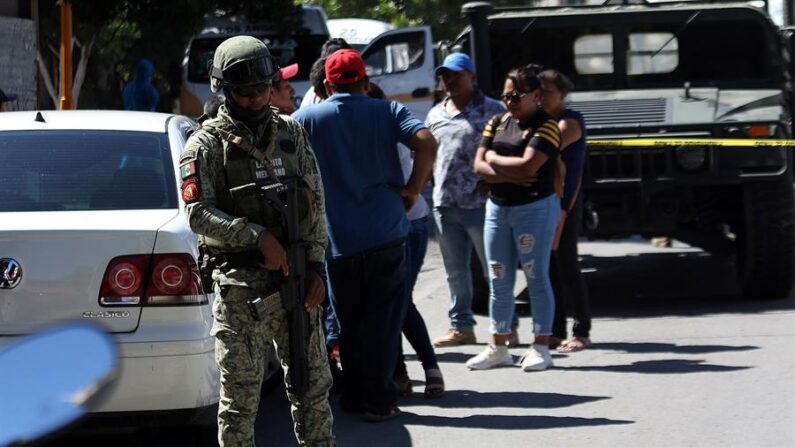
column 124, row 31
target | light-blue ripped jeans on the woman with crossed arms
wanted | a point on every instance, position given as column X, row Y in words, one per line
column 520, row 235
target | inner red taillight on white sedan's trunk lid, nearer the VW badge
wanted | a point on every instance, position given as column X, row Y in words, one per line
column 124, row 281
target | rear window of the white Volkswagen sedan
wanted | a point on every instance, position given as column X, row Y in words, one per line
column 85, row 170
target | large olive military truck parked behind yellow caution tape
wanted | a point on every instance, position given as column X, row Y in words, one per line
column 688, row 107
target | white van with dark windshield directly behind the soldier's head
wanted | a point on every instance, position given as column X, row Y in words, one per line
column 302, row 48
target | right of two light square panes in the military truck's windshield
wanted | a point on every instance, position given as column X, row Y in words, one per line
column 652, row 53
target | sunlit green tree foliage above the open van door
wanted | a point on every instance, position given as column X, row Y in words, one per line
column 444, row 16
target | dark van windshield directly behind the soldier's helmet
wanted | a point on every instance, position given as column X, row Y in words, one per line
column 301, row 49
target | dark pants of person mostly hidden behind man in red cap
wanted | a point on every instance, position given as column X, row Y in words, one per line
column 414, row 325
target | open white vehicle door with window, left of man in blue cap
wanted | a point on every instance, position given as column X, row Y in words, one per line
column 401, row 62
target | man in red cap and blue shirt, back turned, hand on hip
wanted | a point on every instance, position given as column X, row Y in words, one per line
column 354, row 138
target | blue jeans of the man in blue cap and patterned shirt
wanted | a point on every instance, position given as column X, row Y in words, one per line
column 460, row 229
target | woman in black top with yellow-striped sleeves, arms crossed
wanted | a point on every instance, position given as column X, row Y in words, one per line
column 519, row 157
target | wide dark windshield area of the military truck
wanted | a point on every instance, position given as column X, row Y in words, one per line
column 742, row 51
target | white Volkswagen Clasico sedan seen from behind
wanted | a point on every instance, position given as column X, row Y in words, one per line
column 92, row 227
